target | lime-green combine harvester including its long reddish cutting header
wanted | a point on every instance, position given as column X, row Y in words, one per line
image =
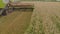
column 7, row 5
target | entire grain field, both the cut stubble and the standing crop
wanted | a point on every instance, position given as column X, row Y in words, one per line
column 45, row 19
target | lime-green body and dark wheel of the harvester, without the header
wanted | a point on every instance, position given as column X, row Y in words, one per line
column 3, row 7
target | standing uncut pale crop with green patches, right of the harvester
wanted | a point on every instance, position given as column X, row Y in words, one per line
column 45, row 19
